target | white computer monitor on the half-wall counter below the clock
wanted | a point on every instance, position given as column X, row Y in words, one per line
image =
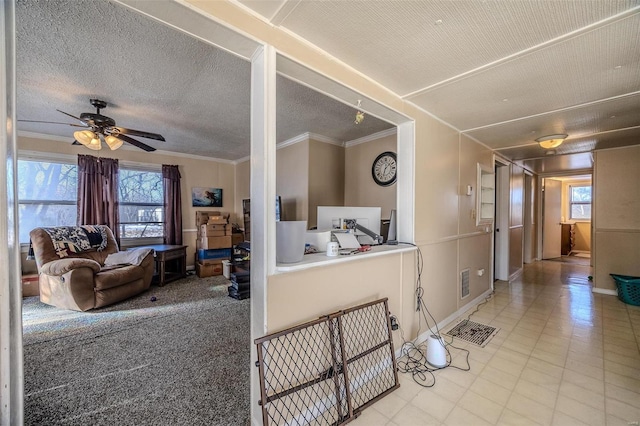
column 334, row 217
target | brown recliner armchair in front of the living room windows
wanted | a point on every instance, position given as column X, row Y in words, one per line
column 76, row 277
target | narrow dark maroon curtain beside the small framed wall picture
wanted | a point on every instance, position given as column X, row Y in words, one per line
column 172, row 205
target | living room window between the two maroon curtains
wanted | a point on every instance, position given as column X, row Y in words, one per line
column 141, row 203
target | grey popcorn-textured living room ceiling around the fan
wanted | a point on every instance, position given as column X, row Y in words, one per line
column 154, row 79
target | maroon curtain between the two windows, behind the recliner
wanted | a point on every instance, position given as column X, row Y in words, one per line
column 98, row 193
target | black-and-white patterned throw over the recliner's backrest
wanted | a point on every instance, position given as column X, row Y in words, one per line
column 77, row 239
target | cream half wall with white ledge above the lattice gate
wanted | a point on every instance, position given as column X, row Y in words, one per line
column 319, row 285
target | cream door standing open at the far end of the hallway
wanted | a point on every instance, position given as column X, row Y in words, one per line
column 551, row 226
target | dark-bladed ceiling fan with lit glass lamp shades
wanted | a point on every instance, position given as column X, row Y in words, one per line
column 103, row 129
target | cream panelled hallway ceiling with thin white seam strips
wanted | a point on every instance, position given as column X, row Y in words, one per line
column 503, row 72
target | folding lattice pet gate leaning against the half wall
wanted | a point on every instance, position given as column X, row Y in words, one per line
column 324, row 372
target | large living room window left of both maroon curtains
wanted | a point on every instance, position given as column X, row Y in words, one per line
column 47, row 193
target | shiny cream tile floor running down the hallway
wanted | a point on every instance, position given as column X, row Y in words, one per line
column 563, row 356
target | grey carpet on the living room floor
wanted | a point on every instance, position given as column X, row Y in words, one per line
column 180, row 360
